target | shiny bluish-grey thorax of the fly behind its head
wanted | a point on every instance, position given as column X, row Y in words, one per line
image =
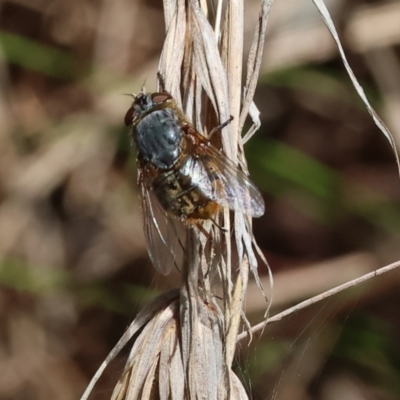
column 158, row 138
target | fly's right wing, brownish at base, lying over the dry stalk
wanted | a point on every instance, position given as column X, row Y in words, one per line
column 229, row 185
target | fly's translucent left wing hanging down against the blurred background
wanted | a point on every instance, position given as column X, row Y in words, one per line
column 164, row 235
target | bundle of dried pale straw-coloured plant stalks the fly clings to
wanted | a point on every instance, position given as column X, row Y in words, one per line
column 186, row 345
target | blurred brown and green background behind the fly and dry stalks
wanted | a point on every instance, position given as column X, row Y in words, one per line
column 74, row 269
